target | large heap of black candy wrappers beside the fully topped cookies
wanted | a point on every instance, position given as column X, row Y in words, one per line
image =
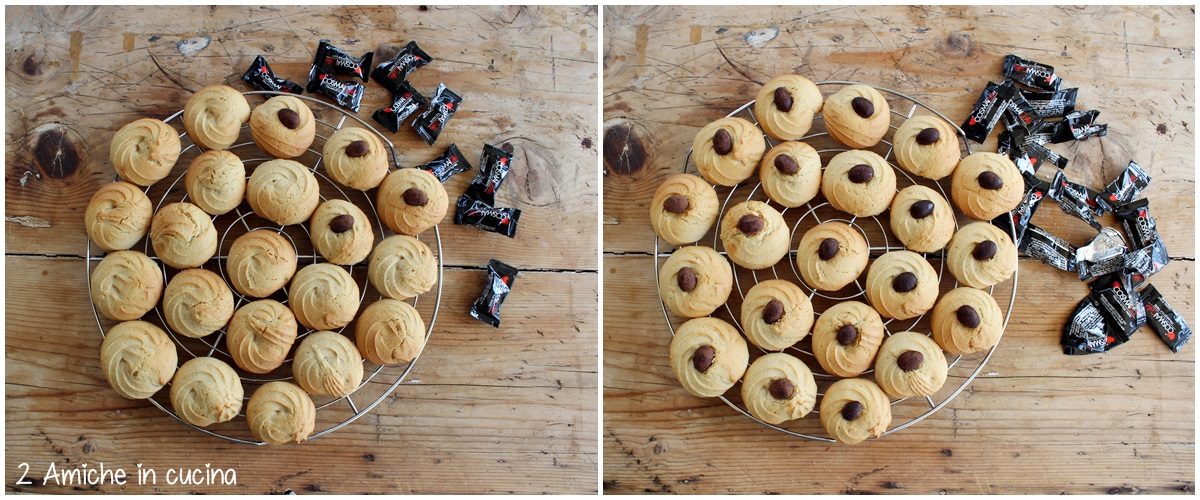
column 1115, row 309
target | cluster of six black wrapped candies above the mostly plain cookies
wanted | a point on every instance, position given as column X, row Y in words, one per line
column 332, row 62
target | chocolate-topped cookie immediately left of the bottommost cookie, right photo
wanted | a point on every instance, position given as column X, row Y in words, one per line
column 779, row 388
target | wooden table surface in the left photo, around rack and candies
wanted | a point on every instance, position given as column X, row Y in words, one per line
column 485, row 411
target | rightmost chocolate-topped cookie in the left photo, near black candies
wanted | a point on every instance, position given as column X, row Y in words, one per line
column 412, row 201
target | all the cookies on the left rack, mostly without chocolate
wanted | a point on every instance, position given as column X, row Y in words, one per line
column 261, row 334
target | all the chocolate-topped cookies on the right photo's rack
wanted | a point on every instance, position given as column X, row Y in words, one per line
column 851, row 340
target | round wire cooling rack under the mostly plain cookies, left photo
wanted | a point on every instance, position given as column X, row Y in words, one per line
column 379, row 382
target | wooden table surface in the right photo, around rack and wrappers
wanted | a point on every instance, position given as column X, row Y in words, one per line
column 1036, row 420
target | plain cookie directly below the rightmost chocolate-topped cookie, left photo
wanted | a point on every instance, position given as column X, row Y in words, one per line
column 403, row 267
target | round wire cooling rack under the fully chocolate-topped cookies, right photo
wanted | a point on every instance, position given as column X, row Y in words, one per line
column 963, row 369
